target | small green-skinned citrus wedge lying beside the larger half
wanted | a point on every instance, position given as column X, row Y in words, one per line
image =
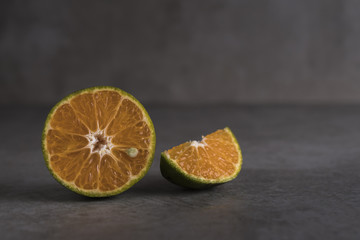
column 214, row 160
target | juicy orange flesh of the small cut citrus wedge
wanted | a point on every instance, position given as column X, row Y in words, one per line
column 216, row 156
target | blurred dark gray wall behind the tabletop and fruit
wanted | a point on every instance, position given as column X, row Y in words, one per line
column 182, row 51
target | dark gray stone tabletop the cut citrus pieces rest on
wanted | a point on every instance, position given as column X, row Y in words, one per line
column 300, row 180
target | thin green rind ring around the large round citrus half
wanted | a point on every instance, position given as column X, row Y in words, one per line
column 94, row 193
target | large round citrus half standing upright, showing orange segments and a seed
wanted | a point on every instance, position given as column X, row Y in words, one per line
column 98, row 141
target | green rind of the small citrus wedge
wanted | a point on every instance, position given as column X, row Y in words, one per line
column 172, row 172
